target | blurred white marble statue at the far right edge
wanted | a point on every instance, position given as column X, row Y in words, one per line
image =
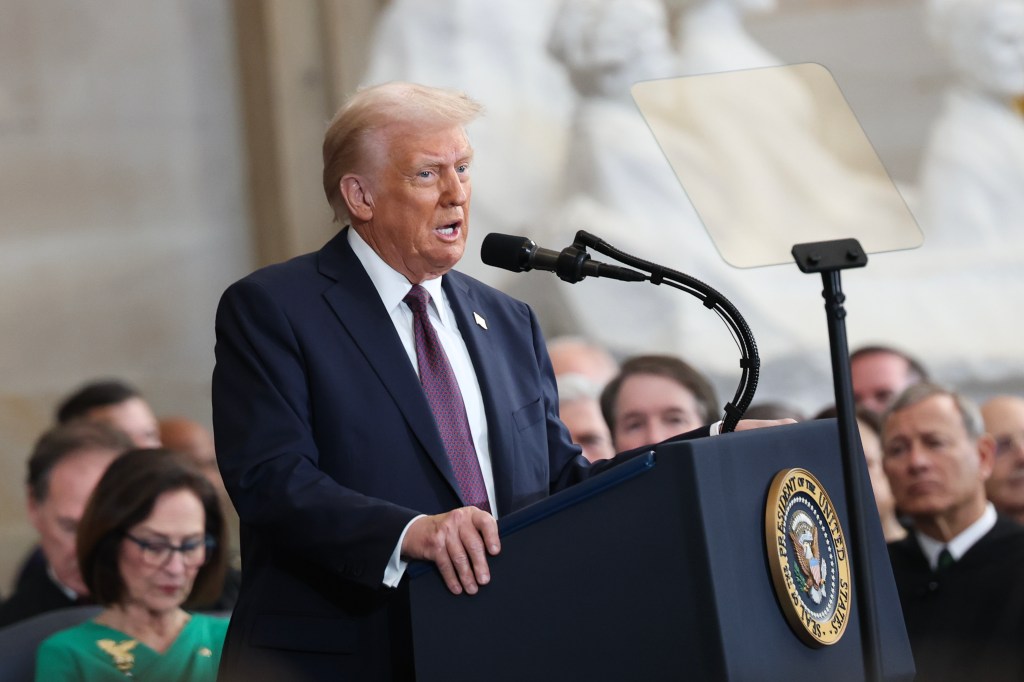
column 957, row 296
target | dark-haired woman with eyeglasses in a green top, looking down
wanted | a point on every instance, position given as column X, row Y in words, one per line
column 150, row 543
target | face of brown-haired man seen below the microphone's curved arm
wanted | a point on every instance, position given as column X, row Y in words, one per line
column 652, row 408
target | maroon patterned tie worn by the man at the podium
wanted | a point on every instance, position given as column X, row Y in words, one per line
column 443, row 394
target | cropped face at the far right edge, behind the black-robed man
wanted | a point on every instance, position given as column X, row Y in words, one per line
column 1005, row 423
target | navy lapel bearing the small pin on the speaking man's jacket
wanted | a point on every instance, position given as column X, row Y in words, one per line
column 484, row 345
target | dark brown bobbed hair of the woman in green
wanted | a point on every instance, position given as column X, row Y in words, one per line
column 124, row 498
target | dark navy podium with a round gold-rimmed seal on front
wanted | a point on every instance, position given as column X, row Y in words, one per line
column 656, row 570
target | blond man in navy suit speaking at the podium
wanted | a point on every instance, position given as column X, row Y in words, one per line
column 372, row 406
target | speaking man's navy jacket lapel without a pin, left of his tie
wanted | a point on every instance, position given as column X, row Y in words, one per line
column 358, row 308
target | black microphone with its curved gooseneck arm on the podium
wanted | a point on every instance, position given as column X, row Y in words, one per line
column 574, row 264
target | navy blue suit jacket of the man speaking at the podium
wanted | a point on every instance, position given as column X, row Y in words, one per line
column 328, row 449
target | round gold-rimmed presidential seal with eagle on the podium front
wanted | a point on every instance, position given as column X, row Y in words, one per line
column 808, row 557
